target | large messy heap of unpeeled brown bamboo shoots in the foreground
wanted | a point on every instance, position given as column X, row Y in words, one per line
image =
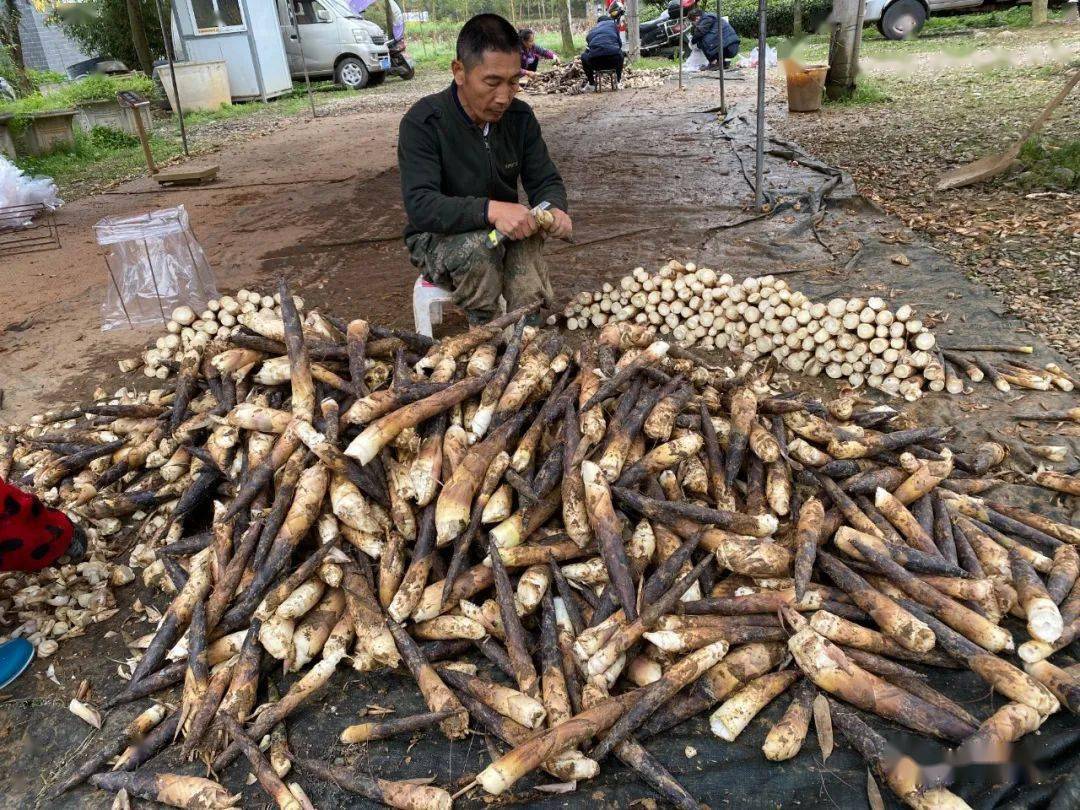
column 570, row 550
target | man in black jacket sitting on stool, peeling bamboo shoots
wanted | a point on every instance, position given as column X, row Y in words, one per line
column 462, row 154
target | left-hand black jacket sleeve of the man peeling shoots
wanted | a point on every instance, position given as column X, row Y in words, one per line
column 427, row 207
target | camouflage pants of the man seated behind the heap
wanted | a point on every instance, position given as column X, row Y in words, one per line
column 478, row 275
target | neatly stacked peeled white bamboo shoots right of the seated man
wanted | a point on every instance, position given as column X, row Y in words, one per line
column 861, row 342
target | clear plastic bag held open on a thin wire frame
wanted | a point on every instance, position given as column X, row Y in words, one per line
column 156, row 265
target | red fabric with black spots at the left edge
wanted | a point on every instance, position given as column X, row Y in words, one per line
column 32, row 535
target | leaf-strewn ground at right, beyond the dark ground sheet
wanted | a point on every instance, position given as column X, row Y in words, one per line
column 973, row 98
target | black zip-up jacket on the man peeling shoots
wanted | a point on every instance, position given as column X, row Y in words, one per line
column 450, row 169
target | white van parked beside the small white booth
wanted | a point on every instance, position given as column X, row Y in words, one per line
column 336, row 43
